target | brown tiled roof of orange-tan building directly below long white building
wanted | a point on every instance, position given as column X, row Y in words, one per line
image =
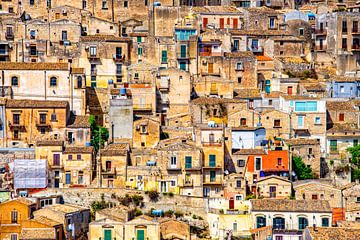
column 27, row 103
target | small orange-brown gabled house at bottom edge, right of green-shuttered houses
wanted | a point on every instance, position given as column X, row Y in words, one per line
column 172, row 229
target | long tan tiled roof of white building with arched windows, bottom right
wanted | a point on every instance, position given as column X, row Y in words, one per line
column 287, row 205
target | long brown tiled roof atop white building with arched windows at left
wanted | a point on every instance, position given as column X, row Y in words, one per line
column 33, row 66
